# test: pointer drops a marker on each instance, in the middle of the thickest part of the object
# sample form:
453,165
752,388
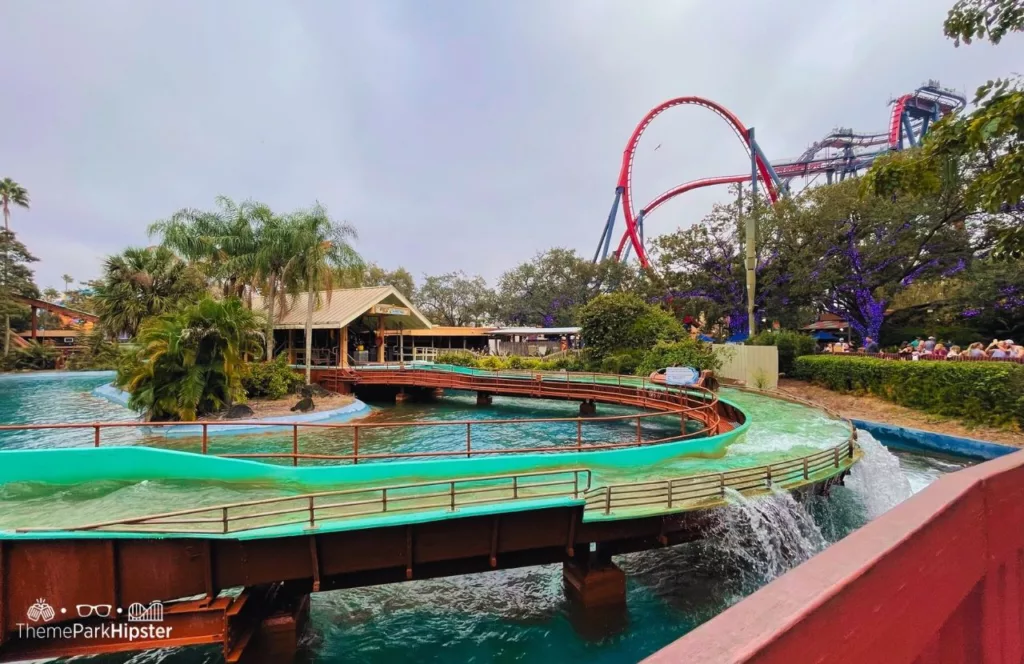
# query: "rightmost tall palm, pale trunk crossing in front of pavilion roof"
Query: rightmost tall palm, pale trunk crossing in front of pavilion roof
322,250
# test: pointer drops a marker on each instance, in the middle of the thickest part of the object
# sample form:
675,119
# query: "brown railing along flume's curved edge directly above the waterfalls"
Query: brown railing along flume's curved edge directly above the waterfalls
695,491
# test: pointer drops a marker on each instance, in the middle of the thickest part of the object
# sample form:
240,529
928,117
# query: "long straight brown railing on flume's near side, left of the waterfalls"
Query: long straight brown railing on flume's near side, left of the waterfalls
316,509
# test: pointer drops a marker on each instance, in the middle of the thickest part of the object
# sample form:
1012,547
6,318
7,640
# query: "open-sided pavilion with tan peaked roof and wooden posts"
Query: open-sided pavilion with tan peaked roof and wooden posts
349,325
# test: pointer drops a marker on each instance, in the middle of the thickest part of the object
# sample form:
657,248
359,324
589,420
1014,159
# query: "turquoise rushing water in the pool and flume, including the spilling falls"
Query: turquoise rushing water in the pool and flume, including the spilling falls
522,615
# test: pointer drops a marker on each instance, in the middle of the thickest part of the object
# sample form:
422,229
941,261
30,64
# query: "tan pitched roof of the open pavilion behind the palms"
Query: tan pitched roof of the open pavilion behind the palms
340,307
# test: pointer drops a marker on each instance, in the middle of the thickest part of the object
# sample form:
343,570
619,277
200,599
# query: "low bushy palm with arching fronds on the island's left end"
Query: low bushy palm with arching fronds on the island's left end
191,361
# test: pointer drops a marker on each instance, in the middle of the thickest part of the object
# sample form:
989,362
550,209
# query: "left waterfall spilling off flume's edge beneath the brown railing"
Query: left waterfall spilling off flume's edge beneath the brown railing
764,536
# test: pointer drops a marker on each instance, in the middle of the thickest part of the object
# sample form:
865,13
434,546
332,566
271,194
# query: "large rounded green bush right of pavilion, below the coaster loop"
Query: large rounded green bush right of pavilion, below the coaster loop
618,322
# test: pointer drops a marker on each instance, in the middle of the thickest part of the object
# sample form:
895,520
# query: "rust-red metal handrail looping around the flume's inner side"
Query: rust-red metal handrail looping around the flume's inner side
697,404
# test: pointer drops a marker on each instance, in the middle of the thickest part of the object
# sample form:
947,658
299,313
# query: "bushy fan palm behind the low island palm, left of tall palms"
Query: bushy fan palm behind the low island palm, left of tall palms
141,283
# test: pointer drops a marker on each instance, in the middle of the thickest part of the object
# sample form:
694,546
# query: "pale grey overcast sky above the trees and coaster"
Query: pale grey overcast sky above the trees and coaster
464,135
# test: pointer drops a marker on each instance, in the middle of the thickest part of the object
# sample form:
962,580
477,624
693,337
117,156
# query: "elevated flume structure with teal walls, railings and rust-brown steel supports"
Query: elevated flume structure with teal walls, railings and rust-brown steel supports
370,524
